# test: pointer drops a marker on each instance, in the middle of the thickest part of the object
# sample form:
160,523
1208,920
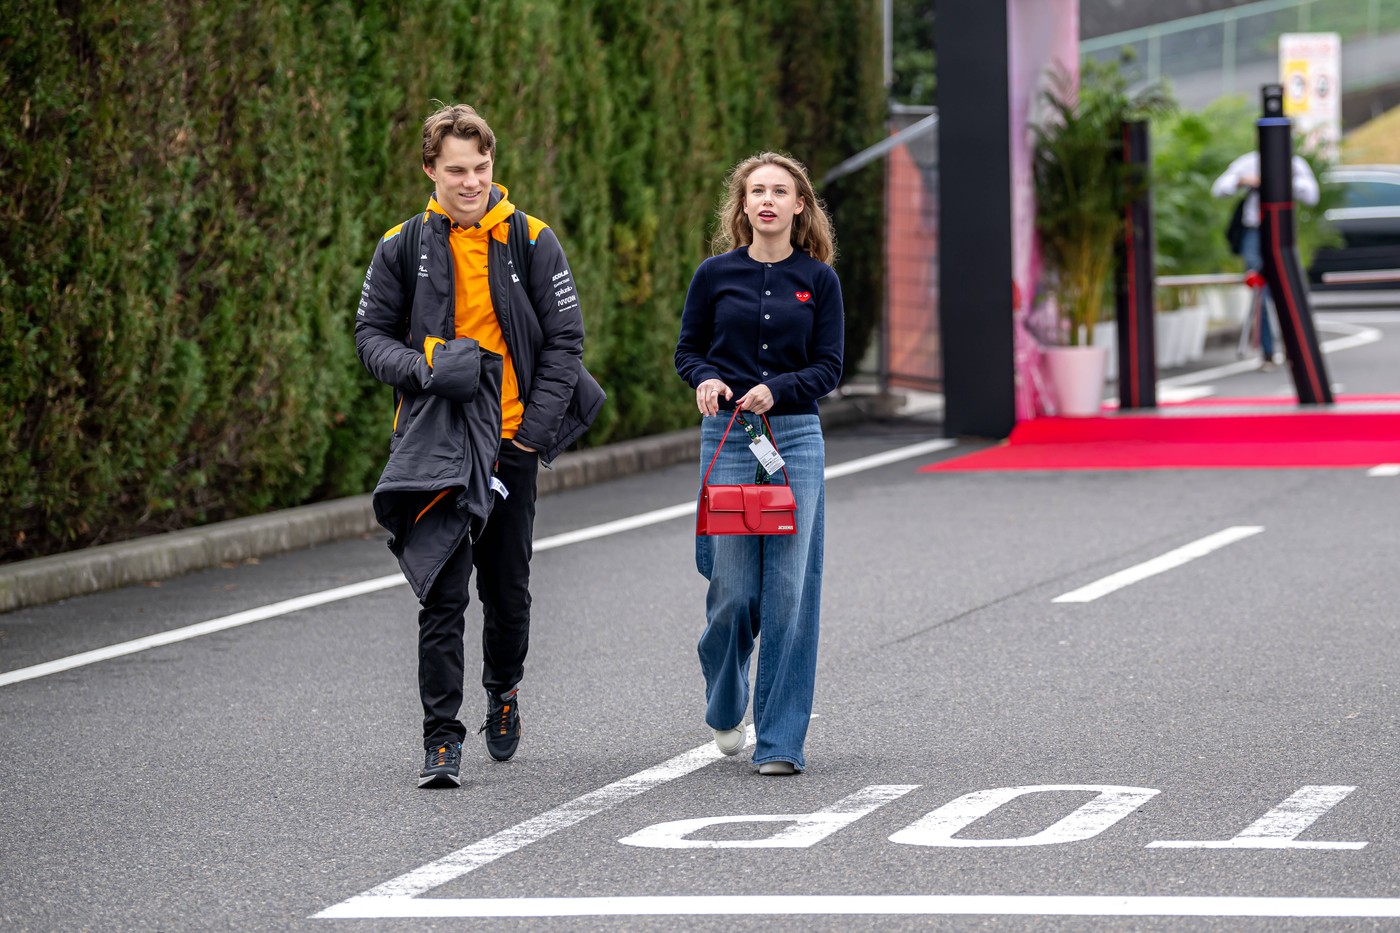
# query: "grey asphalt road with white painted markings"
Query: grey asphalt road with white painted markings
1212,746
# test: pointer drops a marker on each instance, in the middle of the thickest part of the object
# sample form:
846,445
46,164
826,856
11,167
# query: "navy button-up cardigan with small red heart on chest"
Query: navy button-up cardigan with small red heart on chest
780,324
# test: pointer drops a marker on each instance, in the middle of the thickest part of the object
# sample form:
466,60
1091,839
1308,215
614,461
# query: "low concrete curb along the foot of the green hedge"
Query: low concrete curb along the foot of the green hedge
170,555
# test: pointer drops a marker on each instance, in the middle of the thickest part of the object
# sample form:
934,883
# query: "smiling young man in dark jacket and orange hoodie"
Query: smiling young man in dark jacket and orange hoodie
470,313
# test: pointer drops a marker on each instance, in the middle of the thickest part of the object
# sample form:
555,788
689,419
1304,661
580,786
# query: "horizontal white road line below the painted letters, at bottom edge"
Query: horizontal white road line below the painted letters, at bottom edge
901,904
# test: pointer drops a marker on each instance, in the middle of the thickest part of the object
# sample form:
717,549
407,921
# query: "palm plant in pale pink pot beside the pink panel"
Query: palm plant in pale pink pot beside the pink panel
1083,187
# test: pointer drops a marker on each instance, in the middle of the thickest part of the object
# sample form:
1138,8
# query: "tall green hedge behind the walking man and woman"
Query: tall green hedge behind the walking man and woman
191,194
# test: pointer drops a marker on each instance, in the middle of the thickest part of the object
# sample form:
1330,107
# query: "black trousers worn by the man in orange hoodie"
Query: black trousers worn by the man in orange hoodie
502,560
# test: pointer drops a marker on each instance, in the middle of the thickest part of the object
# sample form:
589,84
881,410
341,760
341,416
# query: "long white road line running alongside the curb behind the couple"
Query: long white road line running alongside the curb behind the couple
397,579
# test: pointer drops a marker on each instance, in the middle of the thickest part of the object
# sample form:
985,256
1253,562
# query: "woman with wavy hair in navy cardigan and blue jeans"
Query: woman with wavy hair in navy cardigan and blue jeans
762,331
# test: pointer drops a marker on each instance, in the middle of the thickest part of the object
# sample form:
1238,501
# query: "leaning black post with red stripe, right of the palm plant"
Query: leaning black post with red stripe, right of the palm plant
1277,240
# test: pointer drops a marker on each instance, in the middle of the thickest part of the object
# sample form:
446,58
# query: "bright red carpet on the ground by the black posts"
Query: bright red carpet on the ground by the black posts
1189,436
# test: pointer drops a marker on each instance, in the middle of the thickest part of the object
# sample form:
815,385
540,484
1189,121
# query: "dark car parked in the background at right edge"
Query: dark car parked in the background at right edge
1368,219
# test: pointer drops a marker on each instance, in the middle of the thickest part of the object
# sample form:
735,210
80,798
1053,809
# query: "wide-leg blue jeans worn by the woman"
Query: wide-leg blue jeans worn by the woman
765,589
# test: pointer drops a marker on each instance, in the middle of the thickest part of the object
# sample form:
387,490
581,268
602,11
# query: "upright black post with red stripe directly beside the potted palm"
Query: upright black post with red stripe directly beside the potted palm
1135,278
